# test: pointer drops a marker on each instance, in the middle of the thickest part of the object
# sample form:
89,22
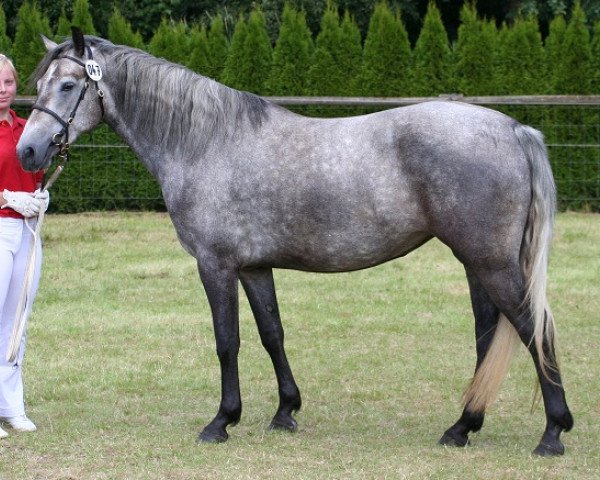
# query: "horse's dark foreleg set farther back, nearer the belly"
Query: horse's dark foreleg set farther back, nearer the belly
260,289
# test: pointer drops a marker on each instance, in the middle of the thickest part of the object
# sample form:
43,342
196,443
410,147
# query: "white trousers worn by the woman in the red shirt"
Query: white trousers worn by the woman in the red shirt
15,239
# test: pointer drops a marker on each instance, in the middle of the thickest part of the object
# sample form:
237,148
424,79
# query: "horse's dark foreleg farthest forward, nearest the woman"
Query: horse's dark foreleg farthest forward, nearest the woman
220,284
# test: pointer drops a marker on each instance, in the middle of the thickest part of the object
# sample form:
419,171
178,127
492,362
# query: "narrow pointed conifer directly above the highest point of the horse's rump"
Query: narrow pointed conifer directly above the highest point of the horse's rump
432,62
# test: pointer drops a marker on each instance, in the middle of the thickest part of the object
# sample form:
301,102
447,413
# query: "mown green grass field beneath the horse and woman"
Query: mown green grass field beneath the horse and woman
121,370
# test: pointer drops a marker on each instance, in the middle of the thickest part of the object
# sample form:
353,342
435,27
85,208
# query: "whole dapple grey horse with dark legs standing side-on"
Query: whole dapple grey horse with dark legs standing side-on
251,186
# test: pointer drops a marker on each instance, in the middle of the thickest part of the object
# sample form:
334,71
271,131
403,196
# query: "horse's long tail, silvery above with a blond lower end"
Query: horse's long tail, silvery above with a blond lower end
535,248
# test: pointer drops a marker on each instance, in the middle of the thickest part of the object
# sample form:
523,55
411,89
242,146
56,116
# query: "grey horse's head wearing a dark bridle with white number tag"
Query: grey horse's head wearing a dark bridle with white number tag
64,108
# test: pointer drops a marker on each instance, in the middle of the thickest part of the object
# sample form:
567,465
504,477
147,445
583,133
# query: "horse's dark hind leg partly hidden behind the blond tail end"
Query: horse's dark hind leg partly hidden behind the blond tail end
486,319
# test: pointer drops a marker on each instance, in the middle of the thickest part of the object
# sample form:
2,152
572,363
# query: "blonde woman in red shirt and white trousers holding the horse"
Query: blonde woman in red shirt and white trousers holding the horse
20,203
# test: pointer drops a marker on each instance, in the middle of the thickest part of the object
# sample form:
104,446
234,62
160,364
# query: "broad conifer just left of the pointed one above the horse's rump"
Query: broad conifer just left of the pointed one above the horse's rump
385,69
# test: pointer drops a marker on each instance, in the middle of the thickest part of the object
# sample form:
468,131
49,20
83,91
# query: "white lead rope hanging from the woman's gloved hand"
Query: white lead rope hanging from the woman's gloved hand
26,296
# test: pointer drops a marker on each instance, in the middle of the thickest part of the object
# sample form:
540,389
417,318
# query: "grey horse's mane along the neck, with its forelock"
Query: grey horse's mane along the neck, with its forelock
167,101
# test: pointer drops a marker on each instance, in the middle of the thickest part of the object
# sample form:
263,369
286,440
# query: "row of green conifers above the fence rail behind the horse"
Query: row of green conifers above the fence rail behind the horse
485,60
